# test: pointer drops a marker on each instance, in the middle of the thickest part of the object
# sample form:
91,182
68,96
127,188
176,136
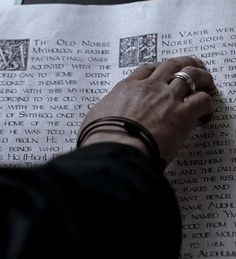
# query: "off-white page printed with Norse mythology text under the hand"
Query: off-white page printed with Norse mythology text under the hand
57,61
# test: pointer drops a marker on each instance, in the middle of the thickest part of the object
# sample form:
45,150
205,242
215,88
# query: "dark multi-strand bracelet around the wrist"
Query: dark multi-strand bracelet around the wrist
133,128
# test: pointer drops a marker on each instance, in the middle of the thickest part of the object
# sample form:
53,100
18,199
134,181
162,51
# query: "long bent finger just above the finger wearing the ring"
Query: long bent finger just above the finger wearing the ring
166,69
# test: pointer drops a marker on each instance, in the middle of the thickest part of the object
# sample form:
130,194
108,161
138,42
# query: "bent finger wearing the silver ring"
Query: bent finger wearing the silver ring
201,78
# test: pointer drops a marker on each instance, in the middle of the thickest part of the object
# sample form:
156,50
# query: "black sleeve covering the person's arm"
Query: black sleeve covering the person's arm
102,201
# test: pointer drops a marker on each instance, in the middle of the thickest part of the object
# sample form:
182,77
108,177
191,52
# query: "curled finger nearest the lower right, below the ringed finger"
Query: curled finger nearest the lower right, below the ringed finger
200,107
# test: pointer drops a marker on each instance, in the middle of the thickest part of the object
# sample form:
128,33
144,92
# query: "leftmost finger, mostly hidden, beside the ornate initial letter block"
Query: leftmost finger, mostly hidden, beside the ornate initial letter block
143,71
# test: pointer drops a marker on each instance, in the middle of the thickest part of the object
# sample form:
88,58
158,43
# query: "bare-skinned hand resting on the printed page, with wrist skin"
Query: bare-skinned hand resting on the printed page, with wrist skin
148,97
